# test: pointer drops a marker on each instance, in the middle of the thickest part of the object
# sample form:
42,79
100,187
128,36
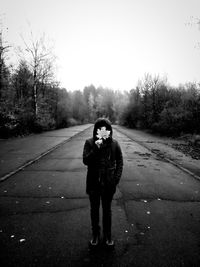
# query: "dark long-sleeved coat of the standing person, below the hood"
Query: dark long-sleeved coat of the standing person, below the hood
104,166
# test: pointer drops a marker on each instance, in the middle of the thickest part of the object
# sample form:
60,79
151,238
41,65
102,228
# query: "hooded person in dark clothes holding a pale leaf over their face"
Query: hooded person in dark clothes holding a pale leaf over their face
103,156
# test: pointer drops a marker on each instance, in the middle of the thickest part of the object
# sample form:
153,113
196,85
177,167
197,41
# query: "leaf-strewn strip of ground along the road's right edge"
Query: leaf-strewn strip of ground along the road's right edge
178,151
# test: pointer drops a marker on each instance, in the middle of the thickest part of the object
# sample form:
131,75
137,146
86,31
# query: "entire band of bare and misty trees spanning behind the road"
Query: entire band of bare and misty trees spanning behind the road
31,100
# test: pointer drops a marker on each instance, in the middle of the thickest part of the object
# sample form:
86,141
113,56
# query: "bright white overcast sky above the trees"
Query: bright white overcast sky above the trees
112,43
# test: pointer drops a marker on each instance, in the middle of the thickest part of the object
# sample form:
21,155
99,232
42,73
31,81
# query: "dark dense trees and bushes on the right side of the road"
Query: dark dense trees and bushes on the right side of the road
164,109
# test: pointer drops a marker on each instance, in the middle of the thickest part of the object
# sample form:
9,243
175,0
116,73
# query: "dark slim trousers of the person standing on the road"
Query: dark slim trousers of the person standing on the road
106,199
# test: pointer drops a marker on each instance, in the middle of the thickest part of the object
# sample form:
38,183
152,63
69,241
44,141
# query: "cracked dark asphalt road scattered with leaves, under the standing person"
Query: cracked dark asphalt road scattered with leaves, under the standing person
44,211
